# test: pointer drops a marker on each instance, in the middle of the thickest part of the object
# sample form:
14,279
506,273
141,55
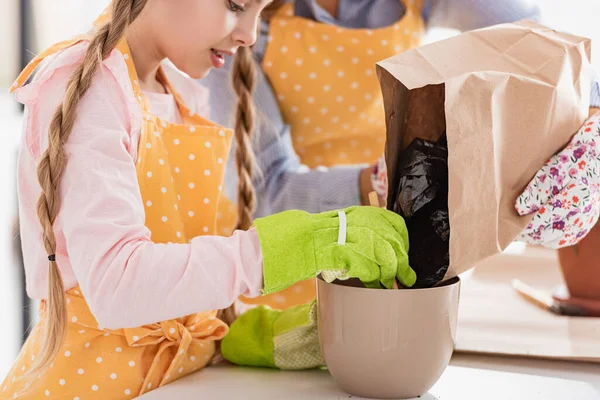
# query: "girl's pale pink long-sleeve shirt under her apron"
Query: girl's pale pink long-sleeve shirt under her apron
102,243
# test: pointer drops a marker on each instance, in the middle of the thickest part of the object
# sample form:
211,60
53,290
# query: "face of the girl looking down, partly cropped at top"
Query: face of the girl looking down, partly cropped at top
188,32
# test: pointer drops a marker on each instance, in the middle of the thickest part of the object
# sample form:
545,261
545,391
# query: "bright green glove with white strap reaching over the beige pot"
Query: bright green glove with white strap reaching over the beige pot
367,243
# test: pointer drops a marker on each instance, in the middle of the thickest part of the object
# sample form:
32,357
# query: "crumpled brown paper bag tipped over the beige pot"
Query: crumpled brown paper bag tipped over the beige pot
508,97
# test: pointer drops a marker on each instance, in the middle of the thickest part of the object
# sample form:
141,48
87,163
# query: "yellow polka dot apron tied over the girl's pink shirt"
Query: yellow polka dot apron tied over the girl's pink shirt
180,168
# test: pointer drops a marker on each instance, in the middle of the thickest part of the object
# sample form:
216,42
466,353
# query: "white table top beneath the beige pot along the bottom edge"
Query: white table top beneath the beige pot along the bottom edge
469,377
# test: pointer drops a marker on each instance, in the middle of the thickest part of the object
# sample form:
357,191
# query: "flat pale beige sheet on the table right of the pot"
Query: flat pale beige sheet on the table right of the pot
494,319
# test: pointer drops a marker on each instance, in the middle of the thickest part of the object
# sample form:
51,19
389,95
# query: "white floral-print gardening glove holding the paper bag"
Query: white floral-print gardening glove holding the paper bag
565,194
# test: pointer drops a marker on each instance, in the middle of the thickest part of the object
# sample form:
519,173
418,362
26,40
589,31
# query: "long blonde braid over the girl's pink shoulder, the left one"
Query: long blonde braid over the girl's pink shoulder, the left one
52,165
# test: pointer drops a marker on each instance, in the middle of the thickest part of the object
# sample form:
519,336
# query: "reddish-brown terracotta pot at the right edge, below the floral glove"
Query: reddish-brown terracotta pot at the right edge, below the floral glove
580,266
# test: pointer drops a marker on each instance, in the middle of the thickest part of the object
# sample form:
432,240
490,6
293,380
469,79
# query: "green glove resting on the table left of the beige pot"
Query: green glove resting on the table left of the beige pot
263,337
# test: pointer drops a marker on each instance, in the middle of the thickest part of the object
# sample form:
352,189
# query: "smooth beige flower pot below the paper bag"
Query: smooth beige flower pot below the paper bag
387,343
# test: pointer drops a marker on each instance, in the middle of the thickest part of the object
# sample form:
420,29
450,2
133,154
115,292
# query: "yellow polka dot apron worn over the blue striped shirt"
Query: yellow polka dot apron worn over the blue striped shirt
324,79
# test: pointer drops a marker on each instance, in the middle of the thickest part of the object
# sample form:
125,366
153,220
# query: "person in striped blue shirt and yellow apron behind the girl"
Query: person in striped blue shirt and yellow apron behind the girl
318,90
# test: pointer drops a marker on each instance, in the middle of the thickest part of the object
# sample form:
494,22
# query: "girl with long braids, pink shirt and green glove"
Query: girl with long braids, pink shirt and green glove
118,186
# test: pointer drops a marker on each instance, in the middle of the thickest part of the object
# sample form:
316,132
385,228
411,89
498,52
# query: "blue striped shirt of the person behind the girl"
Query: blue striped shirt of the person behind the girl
282,182
